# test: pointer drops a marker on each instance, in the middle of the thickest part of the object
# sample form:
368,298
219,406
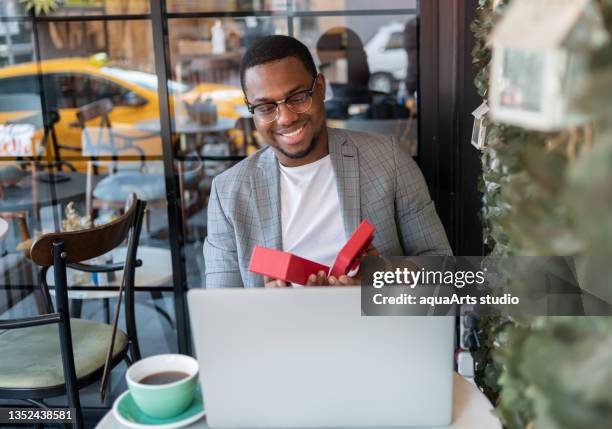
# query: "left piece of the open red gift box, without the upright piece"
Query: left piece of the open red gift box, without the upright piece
282,265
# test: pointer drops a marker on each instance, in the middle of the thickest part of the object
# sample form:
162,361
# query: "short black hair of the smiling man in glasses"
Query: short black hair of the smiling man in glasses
274,48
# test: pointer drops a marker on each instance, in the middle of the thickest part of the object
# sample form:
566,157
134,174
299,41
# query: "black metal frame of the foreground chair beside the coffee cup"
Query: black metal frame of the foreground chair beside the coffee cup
61,316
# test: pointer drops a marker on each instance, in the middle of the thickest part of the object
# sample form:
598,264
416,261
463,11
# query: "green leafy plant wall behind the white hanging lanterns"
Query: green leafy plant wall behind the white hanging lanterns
548,194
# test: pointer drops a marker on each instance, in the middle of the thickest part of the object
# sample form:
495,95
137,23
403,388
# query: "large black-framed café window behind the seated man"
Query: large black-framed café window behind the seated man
101,63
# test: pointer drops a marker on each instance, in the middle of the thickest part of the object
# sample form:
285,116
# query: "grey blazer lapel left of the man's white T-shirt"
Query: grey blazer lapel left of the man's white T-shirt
266,190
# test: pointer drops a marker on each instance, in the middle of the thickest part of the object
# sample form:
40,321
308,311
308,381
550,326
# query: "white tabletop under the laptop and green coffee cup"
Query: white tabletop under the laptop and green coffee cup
471,409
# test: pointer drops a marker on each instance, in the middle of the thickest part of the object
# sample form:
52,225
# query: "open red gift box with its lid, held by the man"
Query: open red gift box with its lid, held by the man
294,269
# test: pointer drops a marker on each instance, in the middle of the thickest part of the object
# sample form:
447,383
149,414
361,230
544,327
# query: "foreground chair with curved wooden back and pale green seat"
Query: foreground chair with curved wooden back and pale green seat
35,361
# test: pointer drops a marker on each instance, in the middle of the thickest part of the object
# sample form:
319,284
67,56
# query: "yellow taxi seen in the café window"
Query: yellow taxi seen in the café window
72,83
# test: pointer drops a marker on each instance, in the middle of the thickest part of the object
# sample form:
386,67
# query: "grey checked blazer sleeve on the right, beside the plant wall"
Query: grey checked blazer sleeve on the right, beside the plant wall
421,231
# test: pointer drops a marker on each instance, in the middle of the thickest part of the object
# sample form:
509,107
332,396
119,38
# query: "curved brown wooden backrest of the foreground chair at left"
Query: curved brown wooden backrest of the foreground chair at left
85,244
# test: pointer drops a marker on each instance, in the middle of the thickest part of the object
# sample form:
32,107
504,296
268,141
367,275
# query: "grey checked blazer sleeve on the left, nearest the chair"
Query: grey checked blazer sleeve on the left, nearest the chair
220,254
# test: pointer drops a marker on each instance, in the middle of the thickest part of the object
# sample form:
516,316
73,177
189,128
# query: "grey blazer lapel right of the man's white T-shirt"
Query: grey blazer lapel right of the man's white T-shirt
345,161
